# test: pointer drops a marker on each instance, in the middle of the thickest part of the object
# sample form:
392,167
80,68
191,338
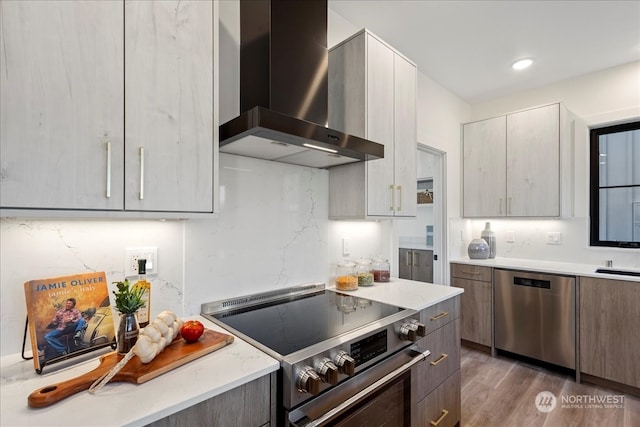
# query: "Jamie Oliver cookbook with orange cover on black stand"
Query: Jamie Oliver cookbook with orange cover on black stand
68,316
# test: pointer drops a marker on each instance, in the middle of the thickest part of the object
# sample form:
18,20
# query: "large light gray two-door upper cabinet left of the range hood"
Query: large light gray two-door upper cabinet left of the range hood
108,108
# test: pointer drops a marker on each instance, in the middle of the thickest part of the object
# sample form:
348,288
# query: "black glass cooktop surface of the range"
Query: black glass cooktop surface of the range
288,326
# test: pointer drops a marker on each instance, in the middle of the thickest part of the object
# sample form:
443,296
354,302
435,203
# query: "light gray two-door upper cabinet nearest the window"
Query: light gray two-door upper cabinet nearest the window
512,164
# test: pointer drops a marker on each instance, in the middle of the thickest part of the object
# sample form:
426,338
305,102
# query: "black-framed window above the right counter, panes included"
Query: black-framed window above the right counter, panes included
615,186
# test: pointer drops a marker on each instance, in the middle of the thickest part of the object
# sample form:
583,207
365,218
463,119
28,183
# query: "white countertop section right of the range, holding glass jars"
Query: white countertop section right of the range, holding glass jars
405,293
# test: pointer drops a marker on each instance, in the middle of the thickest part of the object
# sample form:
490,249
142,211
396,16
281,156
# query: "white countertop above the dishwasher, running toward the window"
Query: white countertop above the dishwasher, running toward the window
548,267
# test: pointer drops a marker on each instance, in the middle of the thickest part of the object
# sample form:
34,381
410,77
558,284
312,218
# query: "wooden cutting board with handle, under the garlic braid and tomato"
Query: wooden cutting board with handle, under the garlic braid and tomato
177,354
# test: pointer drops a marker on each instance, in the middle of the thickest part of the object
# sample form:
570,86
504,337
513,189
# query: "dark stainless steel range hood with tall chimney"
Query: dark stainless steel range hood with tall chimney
283,89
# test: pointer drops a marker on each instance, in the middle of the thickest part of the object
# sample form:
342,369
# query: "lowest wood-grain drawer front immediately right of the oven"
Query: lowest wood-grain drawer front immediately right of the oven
442,406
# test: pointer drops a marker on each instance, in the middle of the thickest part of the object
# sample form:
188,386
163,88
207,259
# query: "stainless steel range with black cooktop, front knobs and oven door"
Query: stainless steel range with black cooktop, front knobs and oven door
344,360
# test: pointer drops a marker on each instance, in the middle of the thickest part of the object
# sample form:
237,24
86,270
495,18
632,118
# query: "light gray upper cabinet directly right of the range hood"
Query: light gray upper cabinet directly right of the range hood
372,94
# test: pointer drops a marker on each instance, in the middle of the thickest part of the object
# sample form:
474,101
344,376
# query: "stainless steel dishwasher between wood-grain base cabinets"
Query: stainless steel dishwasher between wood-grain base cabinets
535,316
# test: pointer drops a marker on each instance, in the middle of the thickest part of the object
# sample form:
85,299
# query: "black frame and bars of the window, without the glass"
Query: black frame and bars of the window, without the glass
594,184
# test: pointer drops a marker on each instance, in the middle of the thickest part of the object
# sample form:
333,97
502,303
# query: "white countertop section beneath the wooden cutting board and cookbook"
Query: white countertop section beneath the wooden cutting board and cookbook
124,404
